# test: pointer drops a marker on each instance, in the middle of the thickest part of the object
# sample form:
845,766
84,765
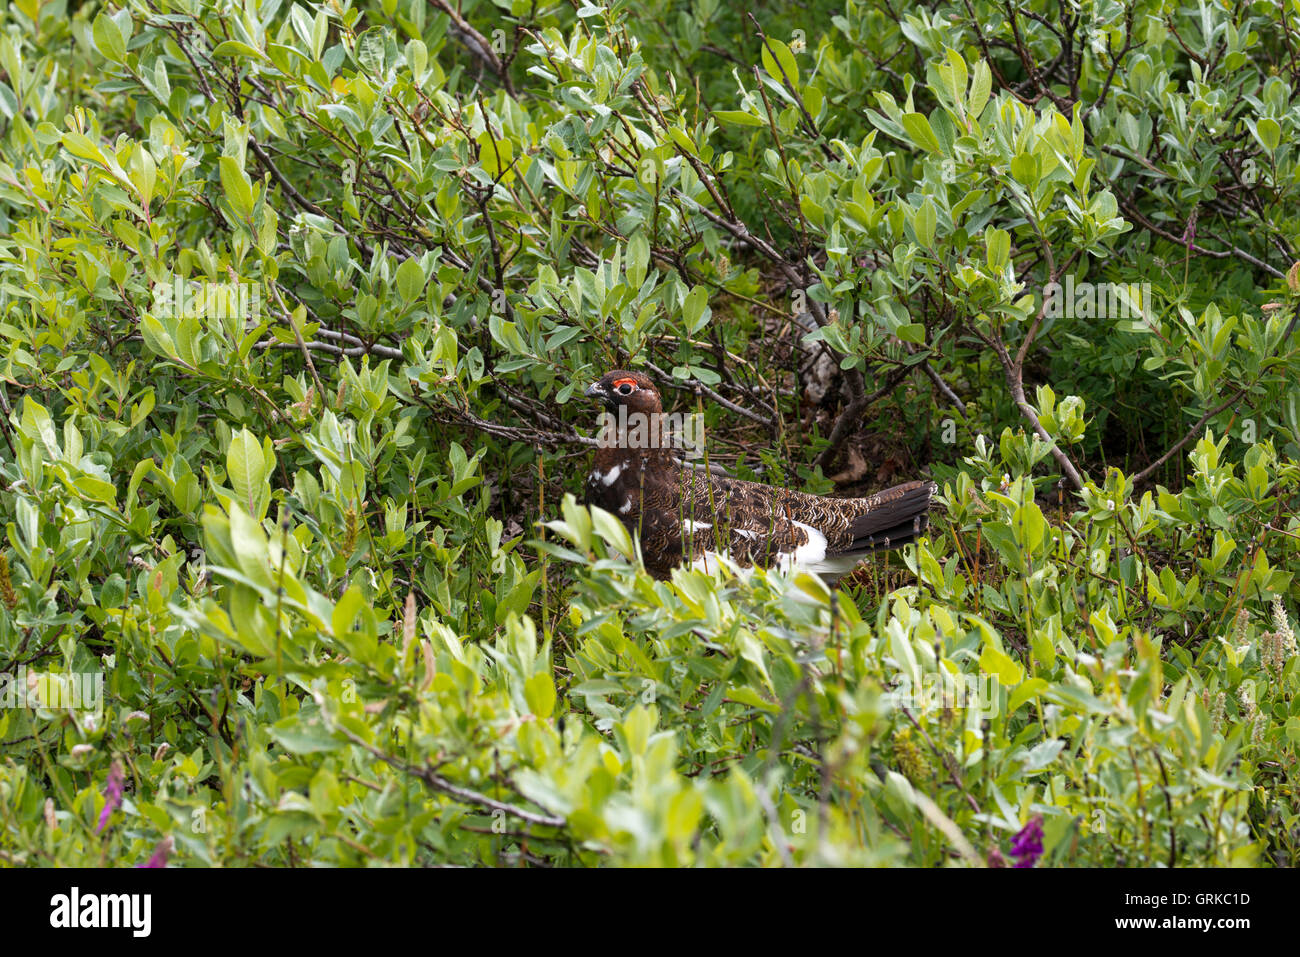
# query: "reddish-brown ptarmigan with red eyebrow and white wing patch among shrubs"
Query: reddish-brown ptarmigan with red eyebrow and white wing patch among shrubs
687,514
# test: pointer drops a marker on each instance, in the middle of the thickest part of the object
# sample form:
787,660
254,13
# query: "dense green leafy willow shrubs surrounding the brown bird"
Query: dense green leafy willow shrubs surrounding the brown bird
297,308
